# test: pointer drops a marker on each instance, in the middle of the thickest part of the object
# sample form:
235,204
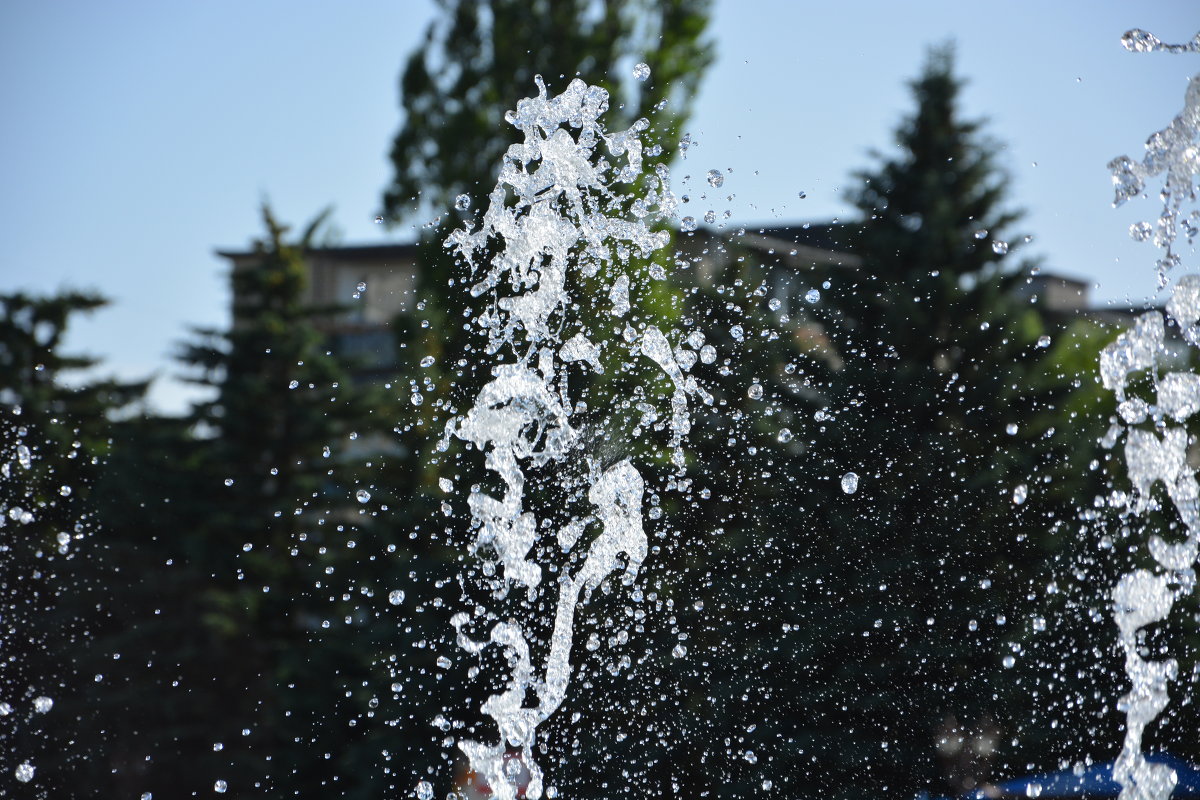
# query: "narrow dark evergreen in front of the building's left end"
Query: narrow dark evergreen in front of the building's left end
283,471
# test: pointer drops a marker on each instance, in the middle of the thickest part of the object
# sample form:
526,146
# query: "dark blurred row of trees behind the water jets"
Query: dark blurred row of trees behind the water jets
885,576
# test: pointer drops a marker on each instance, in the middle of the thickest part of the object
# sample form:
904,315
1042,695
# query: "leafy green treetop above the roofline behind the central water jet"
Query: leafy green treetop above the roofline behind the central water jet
479,58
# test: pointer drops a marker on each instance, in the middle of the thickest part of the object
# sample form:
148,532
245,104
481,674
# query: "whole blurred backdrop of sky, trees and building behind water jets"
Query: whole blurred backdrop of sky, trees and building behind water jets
231,341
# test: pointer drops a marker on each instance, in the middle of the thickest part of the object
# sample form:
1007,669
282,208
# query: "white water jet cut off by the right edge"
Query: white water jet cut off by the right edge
1156,438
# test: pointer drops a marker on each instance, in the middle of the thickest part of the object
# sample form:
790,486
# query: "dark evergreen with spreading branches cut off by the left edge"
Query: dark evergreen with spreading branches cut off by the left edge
55,437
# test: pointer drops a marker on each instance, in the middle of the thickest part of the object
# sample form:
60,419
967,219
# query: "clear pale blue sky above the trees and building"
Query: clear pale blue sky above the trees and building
141,136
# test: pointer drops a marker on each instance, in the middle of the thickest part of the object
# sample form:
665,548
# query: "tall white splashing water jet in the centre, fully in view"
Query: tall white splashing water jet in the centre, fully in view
573,203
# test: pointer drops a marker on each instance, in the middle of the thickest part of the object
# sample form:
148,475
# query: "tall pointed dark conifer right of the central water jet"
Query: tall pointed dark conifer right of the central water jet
952,407
